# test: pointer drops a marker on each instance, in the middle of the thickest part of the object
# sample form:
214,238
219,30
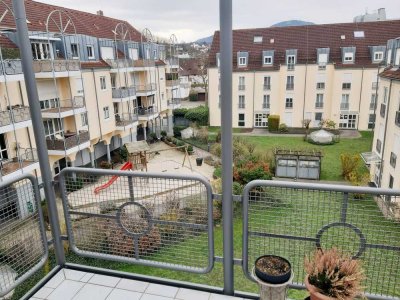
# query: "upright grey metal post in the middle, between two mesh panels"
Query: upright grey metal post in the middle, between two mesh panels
225,12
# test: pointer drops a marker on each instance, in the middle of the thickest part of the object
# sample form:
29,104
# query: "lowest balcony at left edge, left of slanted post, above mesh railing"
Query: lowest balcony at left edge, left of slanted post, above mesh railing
26,162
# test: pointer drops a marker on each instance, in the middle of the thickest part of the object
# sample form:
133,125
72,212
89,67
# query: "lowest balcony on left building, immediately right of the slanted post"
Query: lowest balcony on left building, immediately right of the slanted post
69,143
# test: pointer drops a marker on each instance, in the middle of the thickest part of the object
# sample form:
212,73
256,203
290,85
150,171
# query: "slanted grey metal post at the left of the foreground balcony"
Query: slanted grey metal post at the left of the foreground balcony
38,129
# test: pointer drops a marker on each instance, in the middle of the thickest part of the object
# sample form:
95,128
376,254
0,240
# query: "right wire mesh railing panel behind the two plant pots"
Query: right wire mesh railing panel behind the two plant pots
292,219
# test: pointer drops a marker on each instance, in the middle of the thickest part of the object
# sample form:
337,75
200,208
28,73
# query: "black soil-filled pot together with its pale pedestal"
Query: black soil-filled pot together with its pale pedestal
273,274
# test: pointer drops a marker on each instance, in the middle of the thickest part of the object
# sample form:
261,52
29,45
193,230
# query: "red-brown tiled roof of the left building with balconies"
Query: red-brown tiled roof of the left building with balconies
85,23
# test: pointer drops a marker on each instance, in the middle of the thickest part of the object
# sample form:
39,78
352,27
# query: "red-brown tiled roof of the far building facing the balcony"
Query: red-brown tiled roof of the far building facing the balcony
306,39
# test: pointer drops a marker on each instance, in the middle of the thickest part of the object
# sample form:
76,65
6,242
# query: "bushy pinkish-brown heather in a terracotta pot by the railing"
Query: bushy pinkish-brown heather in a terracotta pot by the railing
333,275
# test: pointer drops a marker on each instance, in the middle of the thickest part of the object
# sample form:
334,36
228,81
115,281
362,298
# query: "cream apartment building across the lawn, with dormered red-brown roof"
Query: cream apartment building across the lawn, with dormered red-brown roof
304,72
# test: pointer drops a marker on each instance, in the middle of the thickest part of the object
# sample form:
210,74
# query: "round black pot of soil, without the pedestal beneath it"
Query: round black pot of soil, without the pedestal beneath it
273,269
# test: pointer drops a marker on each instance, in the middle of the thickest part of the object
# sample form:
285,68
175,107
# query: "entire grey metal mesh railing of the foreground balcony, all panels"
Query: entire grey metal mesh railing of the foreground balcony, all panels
134,226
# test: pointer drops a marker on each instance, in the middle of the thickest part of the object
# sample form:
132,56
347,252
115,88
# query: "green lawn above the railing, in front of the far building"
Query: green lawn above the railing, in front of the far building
331,167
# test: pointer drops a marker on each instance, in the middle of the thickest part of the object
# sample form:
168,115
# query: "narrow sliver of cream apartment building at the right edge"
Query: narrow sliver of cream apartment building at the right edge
384,169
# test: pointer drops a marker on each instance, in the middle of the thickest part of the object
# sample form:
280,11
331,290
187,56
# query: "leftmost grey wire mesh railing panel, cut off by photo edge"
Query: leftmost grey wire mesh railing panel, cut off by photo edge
23,245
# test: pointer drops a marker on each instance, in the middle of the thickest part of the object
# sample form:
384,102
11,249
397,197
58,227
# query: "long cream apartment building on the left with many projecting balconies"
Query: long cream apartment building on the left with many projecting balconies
101,83
